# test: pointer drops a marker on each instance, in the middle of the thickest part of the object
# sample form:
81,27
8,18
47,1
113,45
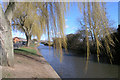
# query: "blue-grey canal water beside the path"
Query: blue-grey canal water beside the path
73,65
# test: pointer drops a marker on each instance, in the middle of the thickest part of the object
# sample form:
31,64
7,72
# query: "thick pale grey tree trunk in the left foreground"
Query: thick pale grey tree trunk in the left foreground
6,43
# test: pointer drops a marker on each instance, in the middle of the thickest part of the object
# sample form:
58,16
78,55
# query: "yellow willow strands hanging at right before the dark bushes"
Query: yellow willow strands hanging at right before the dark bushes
96,22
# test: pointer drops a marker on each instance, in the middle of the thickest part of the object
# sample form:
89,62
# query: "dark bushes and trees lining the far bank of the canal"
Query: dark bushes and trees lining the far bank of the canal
77,42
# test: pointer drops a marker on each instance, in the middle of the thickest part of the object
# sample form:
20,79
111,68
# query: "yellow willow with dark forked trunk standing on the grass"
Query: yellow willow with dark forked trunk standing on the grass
26,20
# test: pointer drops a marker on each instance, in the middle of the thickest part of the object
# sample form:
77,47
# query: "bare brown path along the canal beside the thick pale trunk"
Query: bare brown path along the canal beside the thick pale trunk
29,67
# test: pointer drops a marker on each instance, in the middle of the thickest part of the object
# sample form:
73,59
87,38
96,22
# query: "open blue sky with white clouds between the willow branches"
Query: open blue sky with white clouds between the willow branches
71,19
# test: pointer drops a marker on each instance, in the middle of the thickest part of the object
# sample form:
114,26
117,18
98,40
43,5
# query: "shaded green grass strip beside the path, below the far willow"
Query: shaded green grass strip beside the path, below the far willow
26,51
